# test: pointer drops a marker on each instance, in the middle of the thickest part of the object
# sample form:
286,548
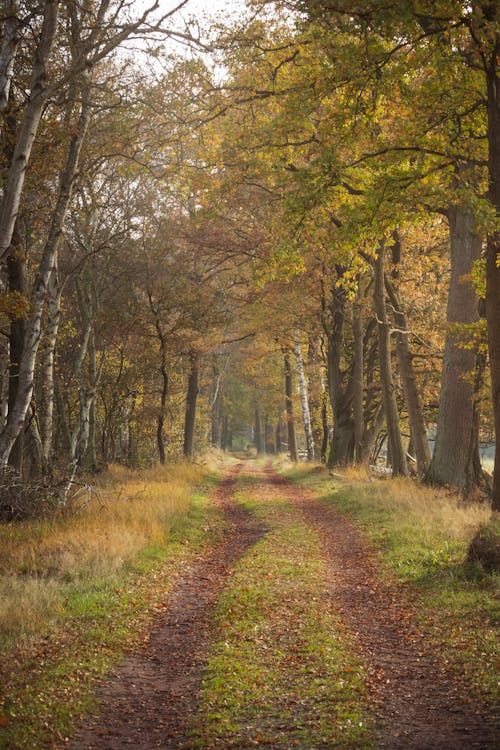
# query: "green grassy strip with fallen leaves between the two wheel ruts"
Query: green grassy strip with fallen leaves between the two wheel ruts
282,672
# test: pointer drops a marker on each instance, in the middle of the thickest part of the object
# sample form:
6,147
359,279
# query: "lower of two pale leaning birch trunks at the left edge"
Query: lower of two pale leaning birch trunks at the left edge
17,415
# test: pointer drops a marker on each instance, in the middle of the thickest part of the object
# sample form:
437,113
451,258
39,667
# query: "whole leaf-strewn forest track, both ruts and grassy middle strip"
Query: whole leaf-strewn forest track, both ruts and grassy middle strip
287,633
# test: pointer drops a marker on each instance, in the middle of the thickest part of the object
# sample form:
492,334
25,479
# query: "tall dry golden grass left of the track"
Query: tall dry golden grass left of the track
41,560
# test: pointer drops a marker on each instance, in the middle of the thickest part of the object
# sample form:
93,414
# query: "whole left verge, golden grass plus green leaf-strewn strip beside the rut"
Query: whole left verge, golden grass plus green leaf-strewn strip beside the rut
89,587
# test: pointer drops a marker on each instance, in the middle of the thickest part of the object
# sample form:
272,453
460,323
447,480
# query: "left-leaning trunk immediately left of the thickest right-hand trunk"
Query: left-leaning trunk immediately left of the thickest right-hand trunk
418,427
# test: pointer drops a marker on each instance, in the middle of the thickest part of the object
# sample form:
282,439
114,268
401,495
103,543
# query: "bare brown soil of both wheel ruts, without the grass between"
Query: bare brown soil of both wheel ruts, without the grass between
420,703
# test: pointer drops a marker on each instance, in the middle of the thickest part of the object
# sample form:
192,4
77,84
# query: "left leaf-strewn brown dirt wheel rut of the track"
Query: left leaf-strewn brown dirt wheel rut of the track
152,695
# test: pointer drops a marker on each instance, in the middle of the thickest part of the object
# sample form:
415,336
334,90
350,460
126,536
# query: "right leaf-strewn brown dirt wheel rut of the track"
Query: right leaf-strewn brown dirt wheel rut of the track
420,703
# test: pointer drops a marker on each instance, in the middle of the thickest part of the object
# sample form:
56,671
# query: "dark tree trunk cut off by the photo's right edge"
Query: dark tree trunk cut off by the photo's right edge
493,255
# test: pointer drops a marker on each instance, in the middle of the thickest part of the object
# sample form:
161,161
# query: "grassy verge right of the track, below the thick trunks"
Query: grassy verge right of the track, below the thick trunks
423,535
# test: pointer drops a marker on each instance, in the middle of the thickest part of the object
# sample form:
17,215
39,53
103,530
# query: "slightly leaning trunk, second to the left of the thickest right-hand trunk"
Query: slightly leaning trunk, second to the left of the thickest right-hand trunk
398,456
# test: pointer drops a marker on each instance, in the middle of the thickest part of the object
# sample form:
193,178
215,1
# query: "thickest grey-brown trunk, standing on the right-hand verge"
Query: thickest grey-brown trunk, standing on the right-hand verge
451,461
